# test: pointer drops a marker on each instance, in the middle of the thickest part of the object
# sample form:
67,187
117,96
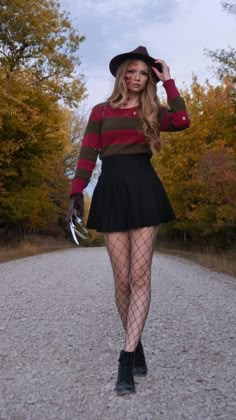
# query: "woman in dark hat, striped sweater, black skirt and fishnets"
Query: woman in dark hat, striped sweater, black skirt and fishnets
129,201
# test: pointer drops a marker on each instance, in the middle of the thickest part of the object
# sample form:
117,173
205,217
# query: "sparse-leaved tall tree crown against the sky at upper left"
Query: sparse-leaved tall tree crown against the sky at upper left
40,37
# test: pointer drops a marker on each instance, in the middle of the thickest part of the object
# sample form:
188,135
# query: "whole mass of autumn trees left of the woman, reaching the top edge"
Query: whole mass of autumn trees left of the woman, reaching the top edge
39,82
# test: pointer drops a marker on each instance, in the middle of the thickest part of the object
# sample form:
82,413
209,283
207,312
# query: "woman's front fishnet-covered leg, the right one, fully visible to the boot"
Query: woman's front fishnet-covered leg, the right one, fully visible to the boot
142,245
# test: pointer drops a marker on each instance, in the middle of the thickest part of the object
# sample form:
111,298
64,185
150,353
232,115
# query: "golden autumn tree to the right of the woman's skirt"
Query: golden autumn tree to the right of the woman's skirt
198,165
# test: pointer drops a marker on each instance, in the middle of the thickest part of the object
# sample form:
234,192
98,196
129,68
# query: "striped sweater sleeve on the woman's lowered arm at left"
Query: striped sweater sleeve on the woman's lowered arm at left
90,148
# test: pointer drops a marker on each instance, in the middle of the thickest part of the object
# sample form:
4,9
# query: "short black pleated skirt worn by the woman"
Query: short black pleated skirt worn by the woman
128,195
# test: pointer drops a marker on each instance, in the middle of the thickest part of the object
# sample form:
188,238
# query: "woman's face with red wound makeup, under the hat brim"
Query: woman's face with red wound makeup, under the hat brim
136,76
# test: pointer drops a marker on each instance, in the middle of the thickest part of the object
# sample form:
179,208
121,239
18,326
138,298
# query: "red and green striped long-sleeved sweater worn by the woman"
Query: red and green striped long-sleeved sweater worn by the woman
115,131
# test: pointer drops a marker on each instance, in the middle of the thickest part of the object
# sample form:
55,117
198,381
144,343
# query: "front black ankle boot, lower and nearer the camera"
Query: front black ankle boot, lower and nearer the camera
125,381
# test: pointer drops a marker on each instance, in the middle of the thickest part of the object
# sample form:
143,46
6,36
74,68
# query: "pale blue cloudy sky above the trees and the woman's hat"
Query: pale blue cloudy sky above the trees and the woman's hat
174,30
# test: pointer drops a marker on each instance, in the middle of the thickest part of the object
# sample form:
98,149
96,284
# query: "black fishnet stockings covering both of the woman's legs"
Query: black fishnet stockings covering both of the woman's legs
131,258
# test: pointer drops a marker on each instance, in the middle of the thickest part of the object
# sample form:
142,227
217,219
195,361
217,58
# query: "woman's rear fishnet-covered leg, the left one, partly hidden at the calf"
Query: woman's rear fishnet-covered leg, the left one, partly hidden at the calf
118,247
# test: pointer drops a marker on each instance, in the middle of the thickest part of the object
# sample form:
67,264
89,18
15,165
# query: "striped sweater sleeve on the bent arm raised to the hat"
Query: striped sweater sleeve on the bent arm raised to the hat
174,118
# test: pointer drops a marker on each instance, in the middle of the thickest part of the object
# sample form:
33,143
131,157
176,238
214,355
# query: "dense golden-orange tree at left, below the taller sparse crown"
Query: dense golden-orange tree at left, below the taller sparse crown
33,139
